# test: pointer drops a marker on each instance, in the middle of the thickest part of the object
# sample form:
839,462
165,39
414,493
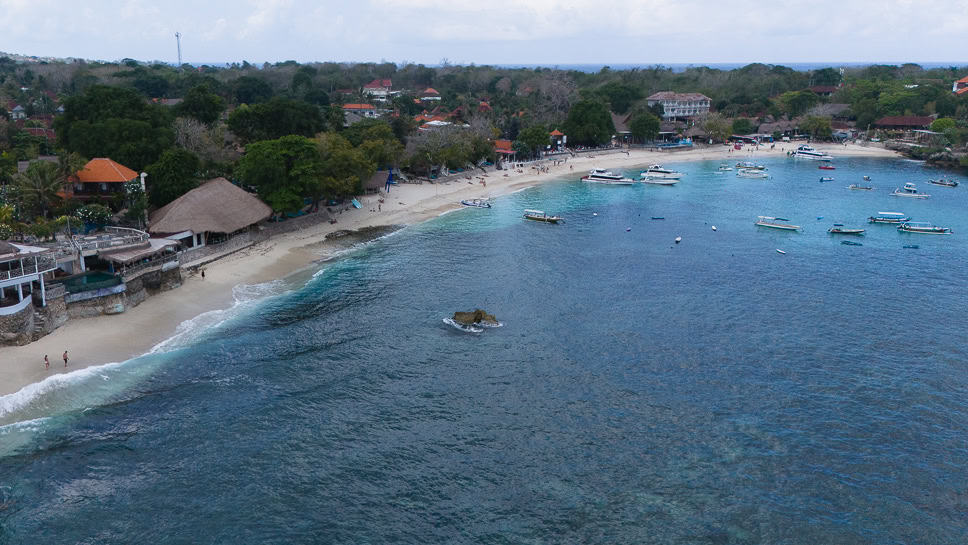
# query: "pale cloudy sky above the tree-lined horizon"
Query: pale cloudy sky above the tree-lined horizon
544,32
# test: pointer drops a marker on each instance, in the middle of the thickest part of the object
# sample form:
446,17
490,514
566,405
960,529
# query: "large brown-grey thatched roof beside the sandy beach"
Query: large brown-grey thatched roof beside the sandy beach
217,206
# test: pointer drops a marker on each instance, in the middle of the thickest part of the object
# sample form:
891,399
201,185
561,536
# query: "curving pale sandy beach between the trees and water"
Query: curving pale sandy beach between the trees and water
117,338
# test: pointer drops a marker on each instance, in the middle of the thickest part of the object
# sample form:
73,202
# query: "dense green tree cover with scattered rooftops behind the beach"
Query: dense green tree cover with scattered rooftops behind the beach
281,130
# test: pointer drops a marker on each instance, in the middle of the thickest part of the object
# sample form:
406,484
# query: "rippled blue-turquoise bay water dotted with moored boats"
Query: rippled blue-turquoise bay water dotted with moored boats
640,391
